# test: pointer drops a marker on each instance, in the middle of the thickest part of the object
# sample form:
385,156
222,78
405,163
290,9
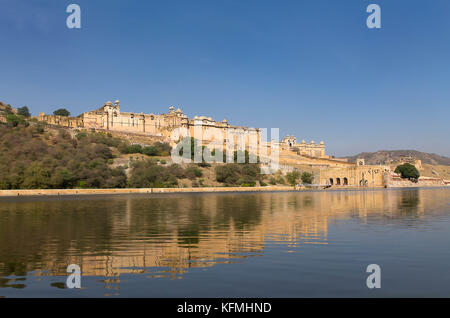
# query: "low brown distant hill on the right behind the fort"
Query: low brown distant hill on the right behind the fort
387,156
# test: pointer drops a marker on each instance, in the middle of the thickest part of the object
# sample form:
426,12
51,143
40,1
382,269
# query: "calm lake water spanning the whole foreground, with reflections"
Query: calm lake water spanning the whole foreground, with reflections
310,244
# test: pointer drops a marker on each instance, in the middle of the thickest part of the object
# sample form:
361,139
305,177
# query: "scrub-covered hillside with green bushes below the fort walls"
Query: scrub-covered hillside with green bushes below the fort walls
38,156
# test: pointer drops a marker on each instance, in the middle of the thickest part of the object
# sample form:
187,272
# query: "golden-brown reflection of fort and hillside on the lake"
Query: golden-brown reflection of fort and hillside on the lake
164,236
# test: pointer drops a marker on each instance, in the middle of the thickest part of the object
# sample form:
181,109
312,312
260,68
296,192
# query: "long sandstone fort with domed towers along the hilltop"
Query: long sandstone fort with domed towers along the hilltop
293,155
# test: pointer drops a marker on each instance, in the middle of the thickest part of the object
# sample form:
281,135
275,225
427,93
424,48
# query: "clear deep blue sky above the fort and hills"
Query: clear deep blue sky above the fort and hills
311,68
